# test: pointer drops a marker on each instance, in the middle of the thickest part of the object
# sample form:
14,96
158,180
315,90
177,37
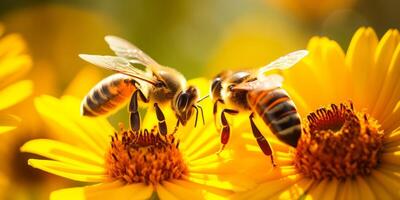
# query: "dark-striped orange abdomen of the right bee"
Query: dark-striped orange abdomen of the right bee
279,112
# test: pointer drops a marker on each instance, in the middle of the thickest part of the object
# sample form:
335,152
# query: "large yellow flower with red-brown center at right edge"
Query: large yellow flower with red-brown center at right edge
350,147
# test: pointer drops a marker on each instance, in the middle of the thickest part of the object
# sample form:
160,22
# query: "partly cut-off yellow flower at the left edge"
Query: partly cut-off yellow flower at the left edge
14,63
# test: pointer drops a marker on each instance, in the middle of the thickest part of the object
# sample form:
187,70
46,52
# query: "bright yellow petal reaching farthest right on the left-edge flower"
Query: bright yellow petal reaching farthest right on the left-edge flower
15,93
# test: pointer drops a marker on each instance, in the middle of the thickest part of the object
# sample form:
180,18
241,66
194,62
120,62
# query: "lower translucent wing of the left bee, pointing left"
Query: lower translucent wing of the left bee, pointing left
120,65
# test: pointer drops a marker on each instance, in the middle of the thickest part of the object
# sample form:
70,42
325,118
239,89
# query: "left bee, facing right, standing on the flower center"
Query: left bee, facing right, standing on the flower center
157,85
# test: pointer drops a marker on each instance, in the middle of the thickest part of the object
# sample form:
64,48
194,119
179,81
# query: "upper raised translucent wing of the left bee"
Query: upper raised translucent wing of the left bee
123,48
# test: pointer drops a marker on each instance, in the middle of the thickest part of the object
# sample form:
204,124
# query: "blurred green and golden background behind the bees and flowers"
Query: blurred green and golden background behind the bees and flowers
199,38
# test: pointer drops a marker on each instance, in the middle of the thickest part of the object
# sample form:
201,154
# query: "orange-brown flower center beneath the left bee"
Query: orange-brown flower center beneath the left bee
144,157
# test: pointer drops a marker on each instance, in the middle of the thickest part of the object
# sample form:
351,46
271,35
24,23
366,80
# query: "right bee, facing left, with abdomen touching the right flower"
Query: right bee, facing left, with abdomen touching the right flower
253,92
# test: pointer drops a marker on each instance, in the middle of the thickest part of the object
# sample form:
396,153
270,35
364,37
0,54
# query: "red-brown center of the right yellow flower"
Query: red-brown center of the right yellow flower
338,142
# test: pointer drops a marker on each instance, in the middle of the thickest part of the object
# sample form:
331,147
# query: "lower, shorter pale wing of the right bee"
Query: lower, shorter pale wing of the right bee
265,83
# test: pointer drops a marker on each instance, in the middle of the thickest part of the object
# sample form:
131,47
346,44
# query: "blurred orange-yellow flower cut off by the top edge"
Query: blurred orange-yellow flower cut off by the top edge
312,10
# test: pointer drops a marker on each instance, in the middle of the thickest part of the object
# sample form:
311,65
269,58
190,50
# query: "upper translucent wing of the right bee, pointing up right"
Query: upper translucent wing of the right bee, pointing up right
283,62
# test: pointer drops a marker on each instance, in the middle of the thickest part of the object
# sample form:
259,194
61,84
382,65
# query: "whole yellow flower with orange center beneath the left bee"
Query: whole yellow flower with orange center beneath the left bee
123,166
